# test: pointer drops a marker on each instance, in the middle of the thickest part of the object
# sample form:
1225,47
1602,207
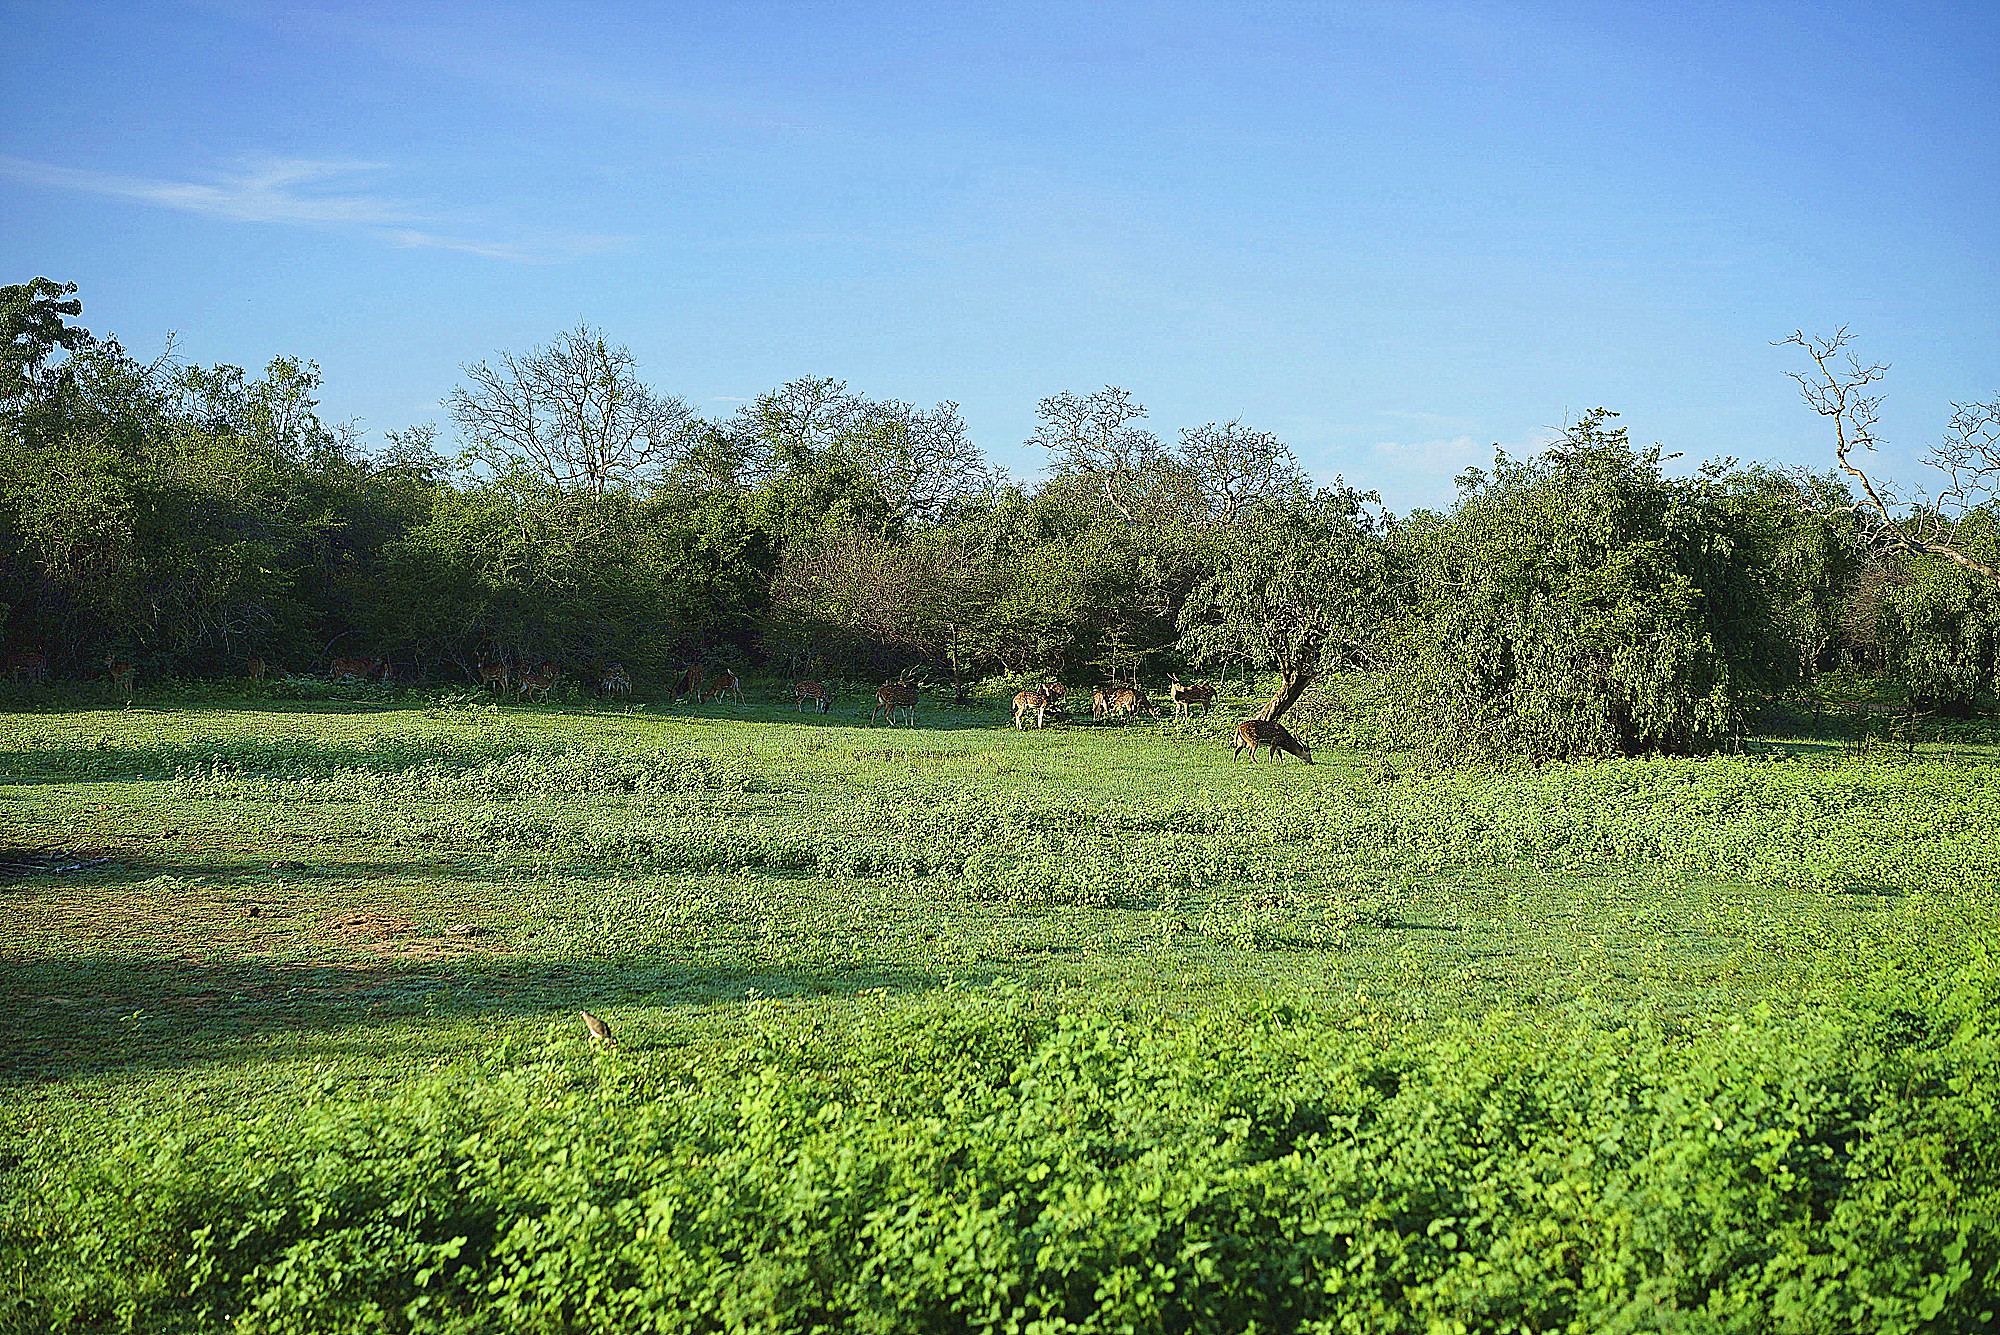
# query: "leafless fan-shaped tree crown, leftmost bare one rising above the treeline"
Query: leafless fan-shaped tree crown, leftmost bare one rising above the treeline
571,415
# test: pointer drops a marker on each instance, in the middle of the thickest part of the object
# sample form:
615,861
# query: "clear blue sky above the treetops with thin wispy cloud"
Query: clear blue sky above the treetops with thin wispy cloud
1389,233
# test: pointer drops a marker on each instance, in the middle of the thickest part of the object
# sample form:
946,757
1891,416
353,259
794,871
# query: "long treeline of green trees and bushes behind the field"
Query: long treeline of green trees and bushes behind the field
187,519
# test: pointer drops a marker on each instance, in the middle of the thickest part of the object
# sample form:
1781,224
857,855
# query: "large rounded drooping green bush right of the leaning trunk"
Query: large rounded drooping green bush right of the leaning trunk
1579,605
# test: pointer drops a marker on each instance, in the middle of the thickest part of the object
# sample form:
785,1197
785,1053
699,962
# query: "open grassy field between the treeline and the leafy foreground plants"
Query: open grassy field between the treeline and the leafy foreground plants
227,920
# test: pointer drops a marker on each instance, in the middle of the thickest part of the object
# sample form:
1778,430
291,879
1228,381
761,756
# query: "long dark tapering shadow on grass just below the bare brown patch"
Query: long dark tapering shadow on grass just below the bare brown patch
77,1016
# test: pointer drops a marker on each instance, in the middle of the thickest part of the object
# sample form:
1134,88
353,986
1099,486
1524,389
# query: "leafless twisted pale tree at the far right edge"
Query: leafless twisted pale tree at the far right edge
1921,525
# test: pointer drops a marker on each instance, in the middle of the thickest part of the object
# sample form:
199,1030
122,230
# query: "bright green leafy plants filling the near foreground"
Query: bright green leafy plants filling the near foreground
1001,1162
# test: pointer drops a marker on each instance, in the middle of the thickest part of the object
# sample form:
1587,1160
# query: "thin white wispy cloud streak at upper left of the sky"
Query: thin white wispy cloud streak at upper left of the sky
301,193
